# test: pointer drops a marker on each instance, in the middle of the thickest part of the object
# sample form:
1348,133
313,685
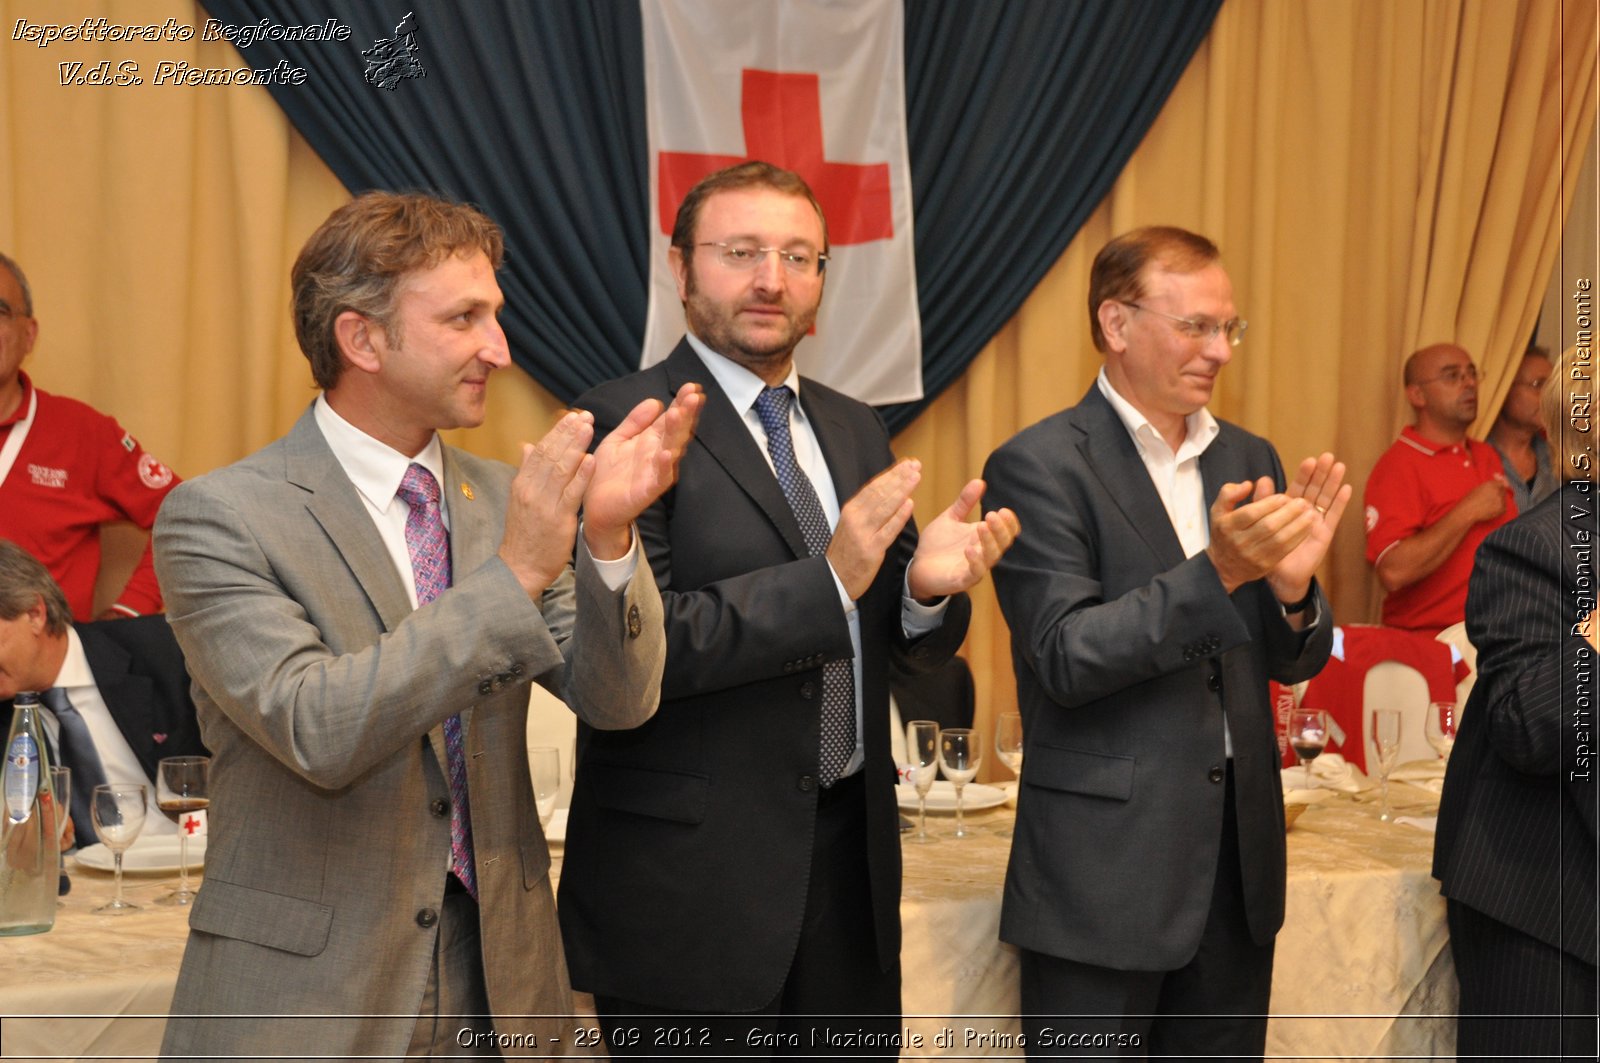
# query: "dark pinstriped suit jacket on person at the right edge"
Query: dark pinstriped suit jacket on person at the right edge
1518,819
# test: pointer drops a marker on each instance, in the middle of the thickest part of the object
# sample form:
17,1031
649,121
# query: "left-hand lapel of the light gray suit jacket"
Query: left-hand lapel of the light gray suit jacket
335,503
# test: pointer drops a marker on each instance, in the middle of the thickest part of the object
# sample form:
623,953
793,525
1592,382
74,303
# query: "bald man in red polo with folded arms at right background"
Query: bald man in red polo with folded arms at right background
1434,495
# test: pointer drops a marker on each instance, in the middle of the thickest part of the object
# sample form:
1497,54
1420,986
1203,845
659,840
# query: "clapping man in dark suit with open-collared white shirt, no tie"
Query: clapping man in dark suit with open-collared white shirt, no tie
1146,878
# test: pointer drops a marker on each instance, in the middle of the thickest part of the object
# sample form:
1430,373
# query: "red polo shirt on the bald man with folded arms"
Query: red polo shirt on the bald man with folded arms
1414,486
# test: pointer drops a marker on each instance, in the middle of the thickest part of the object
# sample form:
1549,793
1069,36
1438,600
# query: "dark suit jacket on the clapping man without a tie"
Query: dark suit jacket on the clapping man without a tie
1127,656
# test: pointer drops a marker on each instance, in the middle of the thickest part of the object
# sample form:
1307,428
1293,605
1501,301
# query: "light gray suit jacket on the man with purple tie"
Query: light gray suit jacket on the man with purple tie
321,694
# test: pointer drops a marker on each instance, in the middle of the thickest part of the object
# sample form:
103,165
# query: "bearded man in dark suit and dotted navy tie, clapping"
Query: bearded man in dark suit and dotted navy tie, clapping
740,852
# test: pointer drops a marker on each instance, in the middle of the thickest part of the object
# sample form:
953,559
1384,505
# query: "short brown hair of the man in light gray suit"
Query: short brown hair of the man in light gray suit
359,255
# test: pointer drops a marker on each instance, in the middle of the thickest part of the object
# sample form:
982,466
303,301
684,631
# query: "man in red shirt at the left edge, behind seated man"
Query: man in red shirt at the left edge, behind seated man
66,470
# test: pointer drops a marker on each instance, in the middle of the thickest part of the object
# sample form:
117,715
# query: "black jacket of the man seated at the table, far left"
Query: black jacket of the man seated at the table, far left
142,676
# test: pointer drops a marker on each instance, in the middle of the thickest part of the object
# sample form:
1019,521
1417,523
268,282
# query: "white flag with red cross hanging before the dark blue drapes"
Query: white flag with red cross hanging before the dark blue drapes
817,87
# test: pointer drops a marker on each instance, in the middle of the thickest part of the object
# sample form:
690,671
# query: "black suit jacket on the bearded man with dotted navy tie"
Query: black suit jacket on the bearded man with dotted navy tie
689,846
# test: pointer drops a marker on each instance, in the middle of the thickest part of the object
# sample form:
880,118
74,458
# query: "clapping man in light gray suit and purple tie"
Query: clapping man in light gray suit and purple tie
362,609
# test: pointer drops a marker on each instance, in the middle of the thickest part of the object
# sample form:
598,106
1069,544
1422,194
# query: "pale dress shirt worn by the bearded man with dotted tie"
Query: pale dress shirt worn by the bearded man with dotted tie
743,388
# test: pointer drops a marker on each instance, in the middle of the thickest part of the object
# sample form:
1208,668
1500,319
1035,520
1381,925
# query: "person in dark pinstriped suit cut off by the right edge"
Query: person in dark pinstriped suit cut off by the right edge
1516,843
